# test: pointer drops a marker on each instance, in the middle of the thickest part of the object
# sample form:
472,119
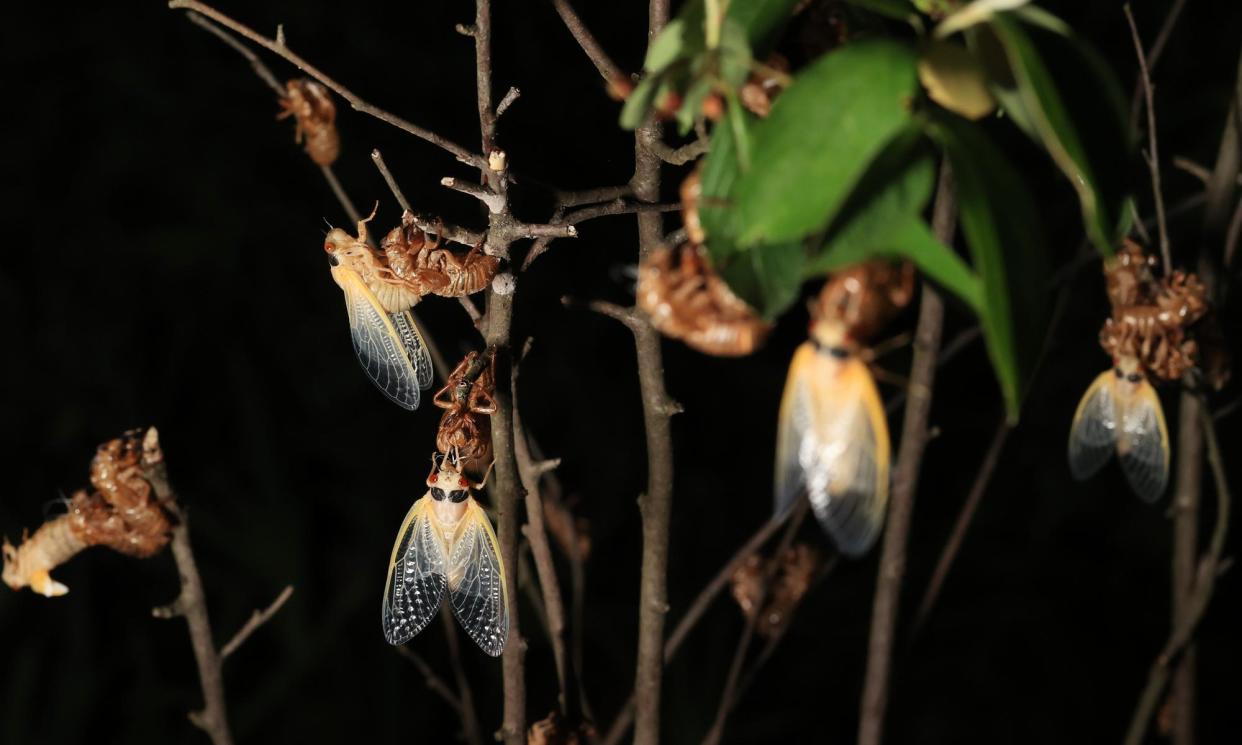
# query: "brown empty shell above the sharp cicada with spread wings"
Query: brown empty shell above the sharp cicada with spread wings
469,404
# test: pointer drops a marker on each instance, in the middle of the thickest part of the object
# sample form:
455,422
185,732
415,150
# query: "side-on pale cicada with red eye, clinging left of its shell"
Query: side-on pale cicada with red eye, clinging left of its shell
387,340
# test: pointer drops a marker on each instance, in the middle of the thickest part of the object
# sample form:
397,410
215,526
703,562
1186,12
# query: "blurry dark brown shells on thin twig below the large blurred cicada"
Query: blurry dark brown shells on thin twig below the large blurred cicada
798,568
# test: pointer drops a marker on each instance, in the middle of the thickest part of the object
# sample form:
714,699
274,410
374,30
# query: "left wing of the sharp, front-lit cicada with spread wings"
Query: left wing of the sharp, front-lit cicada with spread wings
417,578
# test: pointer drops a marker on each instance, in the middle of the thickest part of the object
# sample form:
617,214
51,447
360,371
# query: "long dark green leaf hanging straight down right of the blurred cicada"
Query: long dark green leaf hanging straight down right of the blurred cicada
1003,230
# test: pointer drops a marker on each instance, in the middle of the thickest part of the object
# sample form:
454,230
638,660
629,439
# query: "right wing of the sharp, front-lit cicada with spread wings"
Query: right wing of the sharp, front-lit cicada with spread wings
478,583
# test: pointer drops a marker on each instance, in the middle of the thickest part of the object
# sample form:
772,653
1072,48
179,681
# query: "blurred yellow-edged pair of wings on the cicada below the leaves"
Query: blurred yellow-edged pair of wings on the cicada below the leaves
834,443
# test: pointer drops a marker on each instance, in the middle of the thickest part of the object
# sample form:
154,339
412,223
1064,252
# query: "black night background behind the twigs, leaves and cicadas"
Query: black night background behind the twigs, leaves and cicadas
165,268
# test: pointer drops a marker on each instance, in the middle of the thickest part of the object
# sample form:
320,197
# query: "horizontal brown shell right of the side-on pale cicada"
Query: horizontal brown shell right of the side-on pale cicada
432,269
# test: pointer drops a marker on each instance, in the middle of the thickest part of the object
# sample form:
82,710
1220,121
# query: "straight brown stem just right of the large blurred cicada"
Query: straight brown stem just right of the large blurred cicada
906,475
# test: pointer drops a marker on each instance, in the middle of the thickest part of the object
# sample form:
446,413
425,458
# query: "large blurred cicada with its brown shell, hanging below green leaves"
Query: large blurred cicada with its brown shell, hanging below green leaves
833,439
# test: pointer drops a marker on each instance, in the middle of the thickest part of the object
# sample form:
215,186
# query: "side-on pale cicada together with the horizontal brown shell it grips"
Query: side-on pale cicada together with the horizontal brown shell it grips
382,286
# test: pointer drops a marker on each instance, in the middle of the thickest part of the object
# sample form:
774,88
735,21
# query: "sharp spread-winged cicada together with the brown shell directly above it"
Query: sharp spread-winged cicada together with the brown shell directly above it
446,543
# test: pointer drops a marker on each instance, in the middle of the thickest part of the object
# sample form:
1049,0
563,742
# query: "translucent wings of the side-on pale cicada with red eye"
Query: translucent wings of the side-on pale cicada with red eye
381,347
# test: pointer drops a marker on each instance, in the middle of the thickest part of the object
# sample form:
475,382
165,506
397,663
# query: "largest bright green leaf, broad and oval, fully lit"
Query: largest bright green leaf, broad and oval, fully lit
822,135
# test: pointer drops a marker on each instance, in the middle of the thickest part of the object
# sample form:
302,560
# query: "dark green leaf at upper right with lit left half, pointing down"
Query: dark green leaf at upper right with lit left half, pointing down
1065,96
